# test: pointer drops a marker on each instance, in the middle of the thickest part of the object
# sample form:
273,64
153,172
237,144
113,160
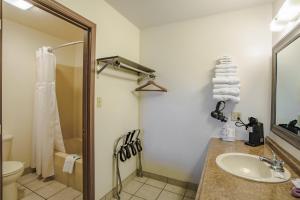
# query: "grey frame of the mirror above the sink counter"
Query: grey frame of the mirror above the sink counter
281,132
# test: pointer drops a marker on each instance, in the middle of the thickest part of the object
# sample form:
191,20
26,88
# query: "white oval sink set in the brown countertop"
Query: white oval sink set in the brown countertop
250,167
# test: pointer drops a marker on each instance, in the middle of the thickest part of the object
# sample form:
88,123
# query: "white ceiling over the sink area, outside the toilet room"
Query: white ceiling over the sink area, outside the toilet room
147,13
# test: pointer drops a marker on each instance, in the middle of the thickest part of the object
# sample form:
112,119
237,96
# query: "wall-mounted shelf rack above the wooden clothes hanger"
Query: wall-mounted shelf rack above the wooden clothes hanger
119,62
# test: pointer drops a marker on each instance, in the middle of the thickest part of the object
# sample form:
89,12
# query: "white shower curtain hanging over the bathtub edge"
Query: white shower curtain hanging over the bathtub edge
47,134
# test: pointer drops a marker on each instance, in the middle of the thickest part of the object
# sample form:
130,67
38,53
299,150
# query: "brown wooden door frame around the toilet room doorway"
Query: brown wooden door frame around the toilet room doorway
89,63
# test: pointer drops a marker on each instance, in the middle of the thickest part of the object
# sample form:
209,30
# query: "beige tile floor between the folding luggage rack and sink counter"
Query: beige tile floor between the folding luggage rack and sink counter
150,189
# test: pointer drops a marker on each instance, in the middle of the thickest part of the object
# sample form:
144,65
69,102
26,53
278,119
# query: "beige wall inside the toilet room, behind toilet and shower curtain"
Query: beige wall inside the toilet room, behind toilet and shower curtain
19,46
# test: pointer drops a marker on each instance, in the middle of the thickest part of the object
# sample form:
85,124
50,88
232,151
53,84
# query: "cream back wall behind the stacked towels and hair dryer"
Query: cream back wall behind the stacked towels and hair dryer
177,124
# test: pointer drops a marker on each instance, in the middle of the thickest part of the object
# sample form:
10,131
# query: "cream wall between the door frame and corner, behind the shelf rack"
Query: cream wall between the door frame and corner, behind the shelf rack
120,111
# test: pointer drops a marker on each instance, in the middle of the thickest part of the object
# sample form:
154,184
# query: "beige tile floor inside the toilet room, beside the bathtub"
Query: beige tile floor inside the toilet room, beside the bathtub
31,188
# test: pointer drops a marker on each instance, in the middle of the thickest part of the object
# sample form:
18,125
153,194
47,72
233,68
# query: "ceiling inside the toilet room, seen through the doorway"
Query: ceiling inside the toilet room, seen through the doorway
43,21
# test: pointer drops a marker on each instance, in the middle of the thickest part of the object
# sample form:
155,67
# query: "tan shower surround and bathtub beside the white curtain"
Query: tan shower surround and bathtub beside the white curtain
69,99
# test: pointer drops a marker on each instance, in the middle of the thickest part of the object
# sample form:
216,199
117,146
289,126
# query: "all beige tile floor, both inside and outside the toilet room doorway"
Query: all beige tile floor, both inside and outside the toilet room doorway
137,189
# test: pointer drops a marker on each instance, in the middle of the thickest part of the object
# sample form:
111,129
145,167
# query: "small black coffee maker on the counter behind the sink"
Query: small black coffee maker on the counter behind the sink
255,130
